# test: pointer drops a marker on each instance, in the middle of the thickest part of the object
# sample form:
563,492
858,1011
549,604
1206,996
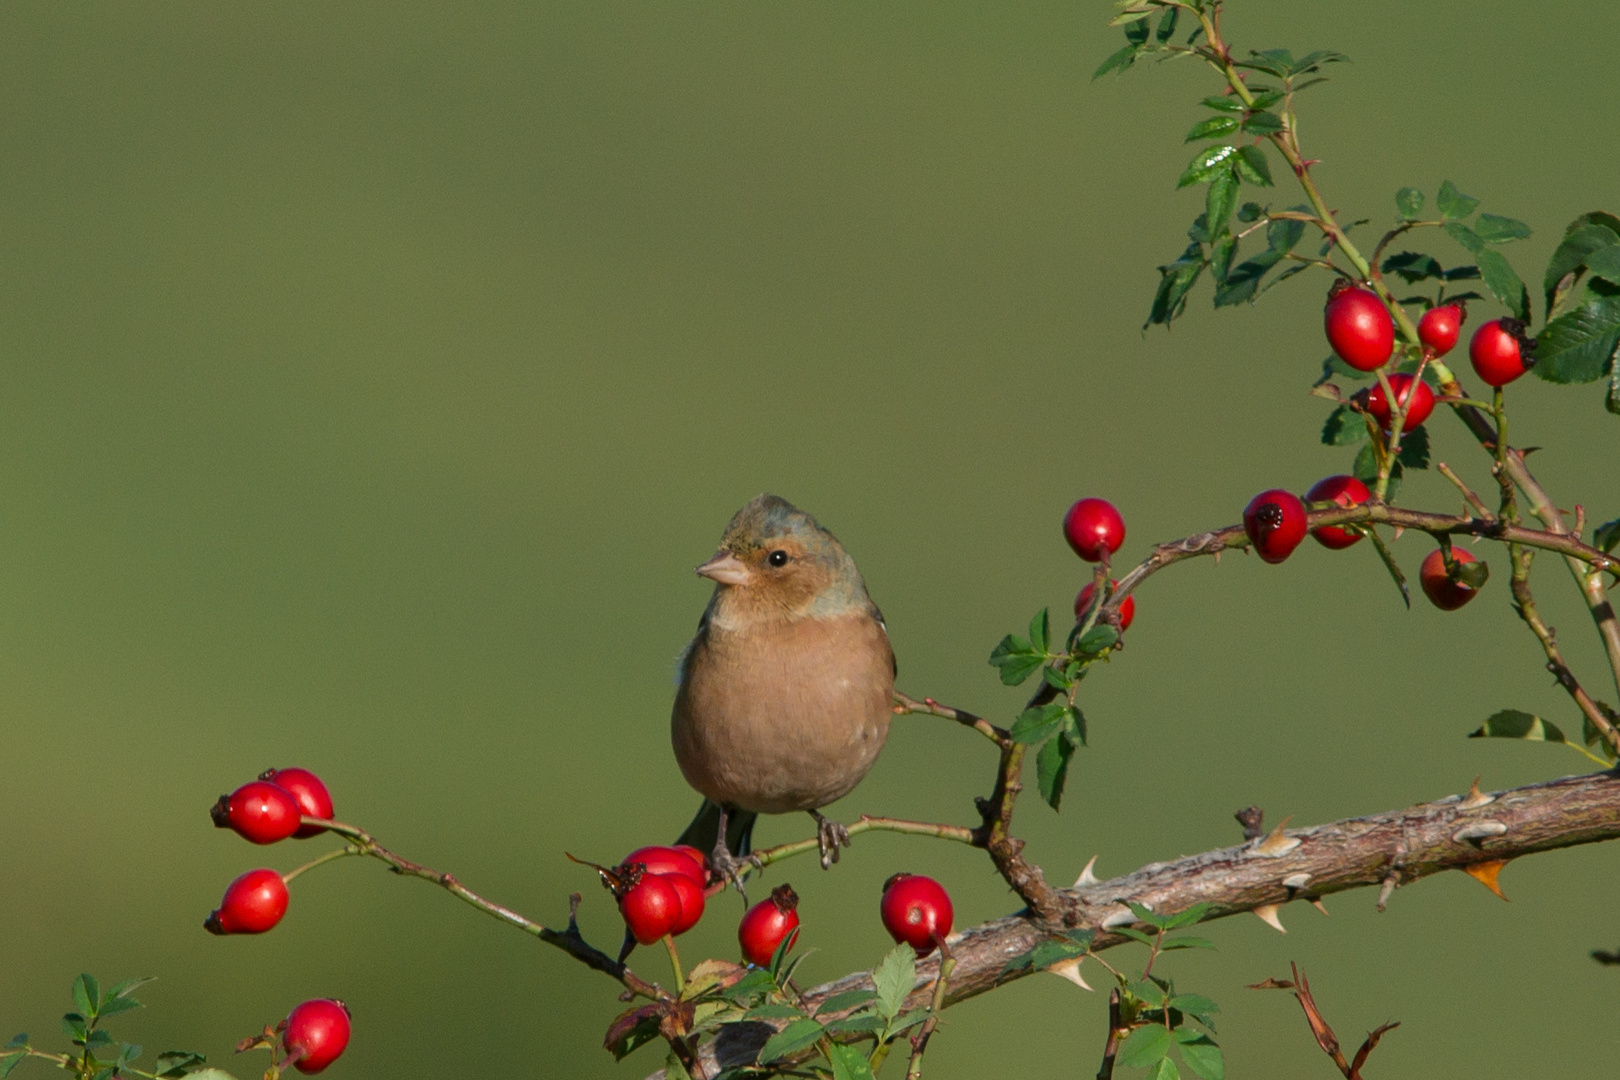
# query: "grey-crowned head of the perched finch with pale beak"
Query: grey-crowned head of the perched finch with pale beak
777,559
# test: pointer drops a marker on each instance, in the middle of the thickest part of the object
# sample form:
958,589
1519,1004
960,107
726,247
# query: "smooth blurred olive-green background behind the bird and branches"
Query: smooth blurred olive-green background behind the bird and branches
375,376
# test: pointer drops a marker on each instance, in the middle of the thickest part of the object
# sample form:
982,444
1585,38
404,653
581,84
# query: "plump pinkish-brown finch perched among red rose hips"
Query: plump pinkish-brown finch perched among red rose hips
788,689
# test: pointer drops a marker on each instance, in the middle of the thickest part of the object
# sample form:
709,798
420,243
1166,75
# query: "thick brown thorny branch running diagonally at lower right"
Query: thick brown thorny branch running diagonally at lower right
1298,865
